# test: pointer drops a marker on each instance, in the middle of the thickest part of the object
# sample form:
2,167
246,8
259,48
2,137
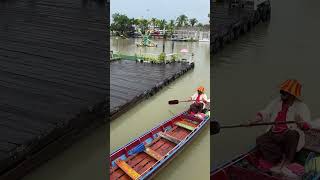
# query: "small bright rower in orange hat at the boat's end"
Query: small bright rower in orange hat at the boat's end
199,101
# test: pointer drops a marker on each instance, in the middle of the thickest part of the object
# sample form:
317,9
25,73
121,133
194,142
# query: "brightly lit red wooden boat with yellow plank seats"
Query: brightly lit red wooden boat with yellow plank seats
161,145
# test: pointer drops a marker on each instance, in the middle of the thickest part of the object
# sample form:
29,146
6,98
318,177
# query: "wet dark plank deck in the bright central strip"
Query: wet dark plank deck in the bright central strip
131,81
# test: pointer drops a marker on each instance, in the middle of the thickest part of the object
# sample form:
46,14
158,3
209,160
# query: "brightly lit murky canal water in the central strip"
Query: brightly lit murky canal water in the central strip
194,161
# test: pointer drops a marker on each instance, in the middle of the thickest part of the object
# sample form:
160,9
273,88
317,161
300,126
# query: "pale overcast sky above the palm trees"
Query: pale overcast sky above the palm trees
162,9
